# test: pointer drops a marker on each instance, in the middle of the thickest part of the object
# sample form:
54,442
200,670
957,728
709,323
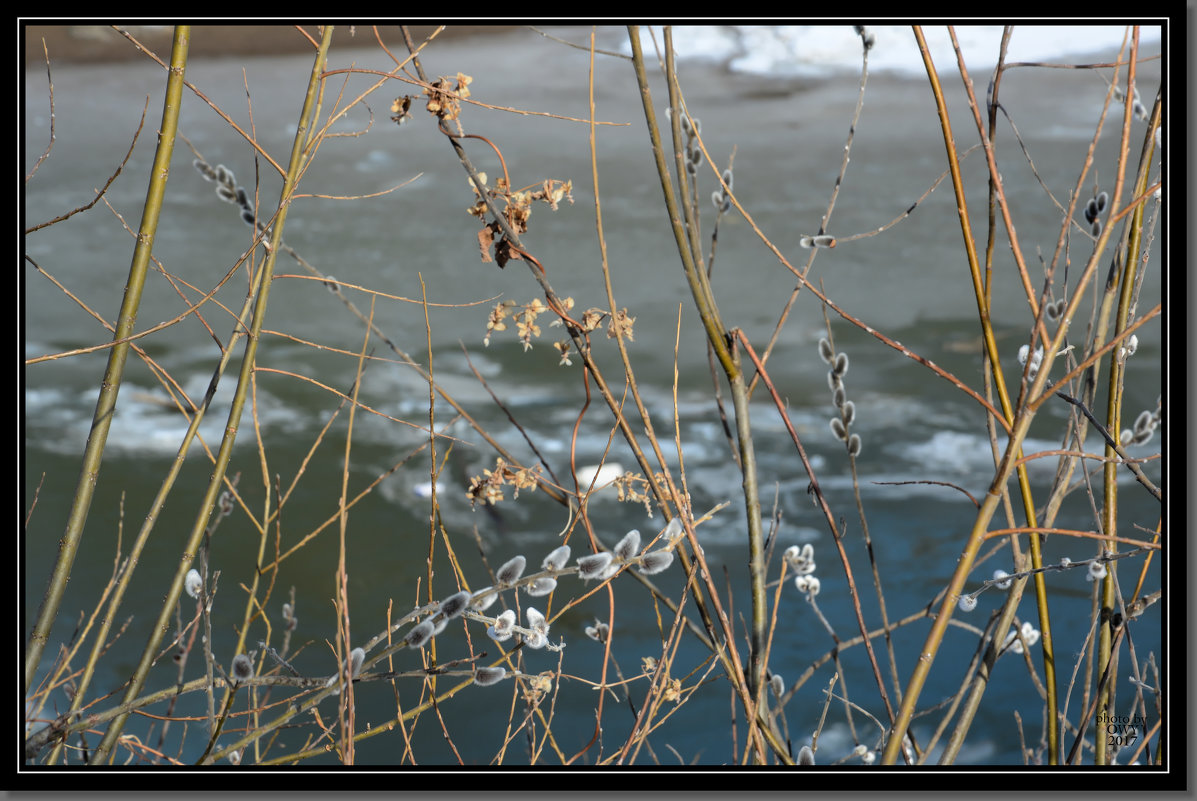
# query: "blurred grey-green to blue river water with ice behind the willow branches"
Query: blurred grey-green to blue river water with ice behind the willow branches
788,138
